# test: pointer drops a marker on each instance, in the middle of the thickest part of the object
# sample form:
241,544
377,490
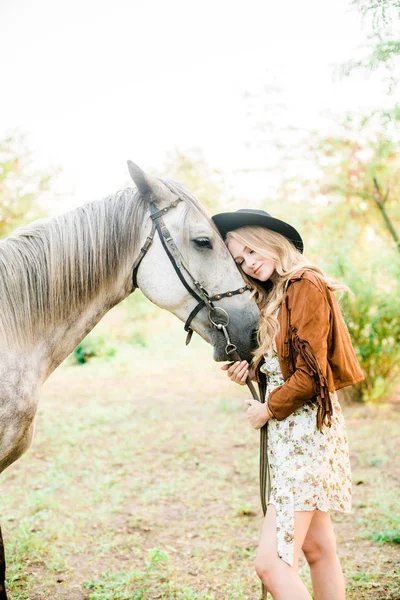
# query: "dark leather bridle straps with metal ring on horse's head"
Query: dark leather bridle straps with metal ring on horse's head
218,317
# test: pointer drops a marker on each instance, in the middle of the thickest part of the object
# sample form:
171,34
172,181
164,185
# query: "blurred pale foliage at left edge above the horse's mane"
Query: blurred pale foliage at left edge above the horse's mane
20,185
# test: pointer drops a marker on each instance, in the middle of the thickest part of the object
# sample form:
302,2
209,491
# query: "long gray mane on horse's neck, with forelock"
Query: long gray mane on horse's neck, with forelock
54,267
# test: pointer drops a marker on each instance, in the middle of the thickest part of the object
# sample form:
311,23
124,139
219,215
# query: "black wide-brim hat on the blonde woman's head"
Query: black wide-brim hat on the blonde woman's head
251,216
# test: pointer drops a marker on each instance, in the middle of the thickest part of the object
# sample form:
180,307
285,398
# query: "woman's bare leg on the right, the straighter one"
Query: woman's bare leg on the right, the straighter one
320,551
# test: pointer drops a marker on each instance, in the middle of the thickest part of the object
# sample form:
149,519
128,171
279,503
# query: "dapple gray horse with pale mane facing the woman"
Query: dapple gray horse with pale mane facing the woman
59,276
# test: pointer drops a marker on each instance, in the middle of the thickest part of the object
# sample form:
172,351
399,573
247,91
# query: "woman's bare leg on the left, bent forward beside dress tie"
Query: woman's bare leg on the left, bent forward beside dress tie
280,579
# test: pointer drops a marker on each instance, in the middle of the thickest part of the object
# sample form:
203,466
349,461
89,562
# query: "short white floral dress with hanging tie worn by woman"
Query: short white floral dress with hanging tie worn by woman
309,469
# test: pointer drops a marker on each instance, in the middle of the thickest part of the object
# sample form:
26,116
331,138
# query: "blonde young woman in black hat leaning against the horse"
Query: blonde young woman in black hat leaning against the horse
305,351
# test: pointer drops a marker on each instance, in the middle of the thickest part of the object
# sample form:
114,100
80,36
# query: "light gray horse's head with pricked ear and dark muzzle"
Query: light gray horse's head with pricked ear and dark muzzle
206,260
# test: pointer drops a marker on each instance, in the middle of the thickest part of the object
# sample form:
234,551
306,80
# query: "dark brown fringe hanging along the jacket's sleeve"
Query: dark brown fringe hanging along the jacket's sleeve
325,410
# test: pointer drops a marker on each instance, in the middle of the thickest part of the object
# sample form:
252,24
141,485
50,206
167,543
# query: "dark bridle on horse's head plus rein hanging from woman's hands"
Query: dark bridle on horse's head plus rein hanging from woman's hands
218,317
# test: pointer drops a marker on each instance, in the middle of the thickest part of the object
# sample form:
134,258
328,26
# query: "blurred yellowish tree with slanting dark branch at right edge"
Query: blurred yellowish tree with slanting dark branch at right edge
360,169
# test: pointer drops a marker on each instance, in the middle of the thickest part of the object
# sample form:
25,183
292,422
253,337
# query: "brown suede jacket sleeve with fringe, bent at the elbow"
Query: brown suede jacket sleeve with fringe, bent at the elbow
309,324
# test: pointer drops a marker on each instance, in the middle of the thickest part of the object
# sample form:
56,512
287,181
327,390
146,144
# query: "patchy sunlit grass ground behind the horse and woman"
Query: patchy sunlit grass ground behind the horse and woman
142,483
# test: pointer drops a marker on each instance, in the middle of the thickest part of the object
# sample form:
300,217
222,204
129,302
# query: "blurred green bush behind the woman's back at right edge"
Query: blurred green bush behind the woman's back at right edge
372,311
